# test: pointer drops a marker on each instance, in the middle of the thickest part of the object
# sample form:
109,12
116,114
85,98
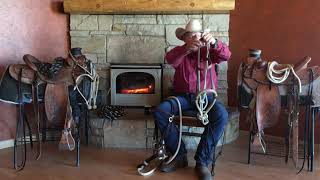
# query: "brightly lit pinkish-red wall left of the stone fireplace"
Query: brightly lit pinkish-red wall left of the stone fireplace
37,27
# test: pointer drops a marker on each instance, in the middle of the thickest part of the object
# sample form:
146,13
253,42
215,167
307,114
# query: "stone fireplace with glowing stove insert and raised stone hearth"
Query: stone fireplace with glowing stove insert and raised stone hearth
110,40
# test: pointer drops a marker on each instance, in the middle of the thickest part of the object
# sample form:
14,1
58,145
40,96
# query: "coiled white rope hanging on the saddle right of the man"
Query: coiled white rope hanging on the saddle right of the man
282,74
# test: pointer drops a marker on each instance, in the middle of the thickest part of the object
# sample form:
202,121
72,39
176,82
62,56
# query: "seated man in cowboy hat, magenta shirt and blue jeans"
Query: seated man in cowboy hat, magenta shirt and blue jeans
184,60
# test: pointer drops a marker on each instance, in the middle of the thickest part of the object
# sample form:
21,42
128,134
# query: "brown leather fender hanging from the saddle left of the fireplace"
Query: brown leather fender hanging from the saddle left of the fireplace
56,103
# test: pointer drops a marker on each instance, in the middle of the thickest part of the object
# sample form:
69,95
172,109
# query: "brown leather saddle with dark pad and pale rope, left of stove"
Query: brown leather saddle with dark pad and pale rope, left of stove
54,85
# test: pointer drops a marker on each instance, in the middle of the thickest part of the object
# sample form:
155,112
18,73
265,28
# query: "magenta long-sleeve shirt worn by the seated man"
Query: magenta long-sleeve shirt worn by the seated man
185,63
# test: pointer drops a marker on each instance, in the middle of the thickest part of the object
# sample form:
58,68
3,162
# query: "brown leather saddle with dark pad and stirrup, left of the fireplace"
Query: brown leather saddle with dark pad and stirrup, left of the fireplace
48,83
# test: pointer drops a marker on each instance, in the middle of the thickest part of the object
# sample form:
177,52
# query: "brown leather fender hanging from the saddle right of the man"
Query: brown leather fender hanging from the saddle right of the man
268,106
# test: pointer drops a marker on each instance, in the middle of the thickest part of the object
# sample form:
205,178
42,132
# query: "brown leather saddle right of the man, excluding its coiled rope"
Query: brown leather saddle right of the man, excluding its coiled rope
264,97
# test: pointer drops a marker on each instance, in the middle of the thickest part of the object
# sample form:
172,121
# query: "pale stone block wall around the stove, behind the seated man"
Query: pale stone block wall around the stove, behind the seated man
109,39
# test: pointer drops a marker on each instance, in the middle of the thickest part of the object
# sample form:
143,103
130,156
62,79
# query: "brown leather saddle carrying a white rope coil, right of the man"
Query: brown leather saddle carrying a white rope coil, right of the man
264,98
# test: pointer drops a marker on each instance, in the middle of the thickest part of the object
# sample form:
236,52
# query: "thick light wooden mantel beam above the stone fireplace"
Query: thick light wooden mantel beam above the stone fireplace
146,6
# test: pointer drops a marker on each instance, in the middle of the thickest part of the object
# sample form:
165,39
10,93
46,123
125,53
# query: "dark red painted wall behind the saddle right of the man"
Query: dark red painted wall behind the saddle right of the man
285,31
